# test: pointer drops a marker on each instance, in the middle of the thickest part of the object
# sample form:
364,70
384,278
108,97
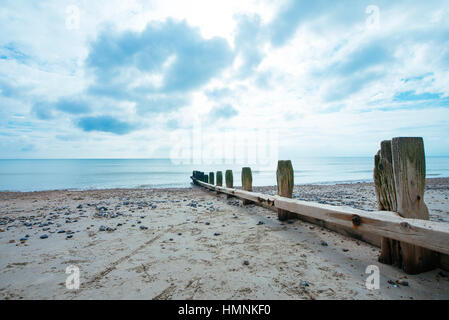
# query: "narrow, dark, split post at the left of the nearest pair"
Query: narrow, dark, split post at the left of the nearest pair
386,200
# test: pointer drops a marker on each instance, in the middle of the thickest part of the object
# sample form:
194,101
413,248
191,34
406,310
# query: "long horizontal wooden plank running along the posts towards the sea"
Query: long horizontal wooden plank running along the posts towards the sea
424,233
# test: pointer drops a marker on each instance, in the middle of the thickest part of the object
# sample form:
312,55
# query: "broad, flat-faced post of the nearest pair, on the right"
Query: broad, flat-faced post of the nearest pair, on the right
409,169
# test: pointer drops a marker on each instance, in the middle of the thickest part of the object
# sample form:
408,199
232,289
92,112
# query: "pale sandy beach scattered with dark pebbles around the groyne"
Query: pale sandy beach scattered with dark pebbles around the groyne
194,244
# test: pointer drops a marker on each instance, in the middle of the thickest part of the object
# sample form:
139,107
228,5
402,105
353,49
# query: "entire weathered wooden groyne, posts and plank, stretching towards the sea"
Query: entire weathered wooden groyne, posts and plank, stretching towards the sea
401,226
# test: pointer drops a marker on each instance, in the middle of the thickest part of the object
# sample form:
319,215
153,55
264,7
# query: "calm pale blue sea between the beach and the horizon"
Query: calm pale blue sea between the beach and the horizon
35,175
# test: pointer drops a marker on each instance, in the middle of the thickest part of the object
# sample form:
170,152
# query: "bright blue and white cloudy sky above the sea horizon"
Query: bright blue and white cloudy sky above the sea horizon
130,79
